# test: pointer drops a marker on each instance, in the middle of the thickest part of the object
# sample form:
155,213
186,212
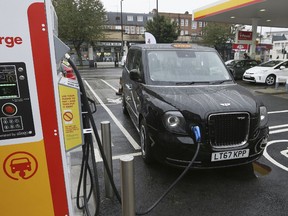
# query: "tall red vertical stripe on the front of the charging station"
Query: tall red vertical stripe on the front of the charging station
45,89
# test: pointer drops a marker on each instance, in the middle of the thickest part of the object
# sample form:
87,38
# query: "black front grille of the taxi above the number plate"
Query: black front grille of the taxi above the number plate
228,129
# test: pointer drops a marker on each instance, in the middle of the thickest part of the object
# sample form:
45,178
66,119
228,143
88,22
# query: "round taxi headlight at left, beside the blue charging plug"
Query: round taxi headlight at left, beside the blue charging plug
174,122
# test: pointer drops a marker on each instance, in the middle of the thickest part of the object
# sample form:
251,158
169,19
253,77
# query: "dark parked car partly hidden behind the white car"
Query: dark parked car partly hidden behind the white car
238,67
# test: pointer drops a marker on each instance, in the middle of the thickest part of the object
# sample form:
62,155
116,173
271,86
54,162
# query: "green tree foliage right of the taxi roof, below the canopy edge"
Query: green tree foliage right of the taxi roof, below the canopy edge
217,34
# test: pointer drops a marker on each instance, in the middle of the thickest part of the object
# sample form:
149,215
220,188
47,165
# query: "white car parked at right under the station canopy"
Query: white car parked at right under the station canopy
267,72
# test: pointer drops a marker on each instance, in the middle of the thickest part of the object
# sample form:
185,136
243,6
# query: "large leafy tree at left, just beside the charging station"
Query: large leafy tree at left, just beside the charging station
80,21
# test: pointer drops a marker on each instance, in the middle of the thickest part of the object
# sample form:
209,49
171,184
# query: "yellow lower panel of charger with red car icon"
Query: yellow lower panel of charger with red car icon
24,180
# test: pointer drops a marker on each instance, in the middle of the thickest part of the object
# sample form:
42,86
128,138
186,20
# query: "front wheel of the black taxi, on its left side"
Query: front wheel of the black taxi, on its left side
145,143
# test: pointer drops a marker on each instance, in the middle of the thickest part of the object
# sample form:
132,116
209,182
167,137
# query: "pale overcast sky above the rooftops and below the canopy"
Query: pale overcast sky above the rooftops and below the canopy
173,6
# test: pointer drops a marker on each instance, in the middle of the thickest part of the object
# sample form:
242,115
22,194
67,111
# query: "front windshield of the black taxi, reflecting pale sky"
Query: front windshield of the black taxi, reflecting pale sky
186,66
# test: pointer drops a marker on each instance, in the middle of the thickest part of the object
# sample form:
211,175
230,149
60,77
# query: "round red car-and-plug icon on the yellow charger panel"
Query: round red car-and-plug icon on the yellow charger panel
20,165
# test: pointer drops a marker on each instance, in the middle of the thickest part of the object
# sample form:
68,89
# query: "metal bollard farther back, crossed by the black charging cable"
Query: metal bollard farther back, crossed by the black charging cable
106,142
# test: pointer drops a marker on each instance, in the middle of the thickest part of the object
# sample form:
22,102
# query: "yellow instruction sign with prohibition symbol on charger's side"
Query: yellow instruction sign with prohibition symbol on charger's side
71,113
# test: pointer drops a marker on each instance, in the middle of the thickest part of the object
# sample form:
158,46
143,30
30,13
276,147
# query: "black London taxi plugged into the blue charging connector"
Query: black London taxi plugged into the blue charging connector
180,95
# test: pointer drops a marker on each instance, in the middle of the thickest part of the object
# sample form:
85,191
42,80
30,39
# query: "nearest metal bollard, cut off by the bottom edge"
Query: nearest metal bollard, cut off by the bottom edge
127,186
